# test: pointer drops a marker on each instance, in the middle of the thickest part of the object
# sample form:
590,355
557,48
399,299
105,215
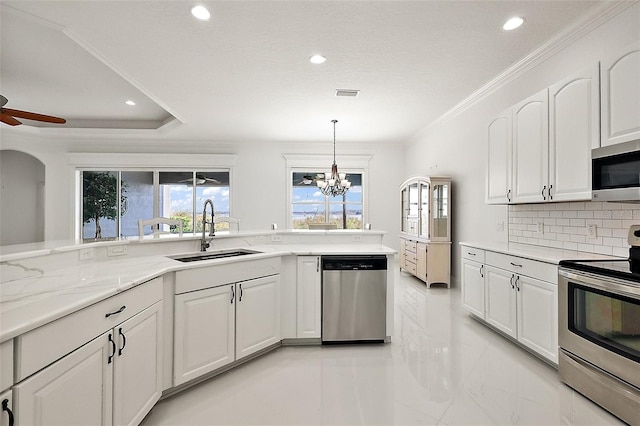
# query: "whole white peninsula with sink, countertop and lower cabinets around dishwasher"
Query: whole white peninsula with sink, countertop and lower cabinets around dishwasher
66,305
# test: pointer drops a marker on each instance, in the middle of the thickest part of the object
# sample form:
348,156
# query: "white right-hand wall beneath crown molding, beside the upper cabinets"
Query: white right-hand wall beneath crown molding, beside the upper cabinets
458,147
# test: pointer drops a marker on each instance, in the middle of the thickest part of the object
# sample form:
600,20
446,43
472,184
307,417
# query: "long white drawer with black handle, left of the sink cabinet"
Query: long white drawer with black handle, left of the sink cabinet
44,345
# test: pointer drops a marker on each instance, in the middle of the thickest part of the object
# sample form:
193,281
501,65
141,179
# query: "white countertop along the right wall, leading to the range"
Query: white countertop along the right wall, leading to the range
540,253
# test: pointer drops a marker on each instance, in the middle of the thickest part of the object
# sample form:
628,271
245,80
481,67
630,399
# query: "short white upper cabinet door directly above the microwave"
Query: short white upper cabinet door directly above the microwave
620,111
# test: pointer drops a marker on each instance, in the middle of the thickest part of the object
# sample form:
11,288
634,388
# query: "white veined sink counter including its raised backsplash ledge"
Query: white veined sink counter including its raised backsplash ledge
46,282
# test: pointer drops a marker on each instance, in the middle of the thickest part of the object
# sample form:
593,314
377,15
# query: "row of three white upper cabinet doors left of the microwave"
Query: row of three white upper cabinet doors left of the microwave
540,149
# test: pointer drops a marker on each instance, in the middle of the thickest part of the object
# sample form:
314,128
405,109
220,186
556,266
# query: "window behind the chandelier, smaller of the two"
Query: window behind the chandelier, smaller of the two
309,205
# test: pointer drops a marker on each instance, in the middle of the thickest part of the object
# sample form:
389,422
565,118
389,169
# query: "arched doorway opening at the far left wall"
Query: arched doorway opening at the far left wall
22,184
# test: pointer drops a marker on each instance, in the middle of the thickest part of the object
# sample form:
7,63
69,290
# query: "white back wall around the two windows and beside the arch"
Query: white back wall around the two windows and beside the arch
259,176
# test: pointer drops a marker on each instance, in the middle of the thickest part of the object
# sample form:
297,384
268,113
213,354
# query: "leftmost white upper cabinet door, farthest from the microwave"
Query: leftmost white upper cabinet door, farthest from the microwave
499,159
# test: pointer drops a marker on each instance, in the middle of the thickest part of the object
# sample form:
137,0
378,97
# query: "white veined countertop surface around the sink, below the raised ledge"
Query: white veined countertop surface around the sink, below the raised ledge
31,296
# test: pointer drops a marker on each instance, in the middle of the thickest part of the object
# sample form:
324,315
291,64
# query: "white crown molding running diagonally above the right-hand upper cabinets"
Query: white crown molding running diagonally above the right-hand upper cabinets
587,23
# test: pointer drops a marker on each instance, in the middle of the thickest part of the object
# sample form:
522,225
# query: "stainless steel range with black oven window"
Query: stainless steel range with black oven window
599,333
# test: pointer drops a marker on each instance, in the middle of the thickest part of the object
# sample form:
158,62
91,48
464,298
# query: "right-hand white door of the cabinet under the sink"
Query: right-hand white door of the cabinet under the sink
257,314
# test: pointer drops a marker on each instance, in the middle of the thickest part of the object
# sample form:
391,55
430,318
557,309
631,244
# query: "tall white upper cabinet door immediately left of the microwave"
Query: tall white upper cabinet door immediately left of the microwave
573,133
